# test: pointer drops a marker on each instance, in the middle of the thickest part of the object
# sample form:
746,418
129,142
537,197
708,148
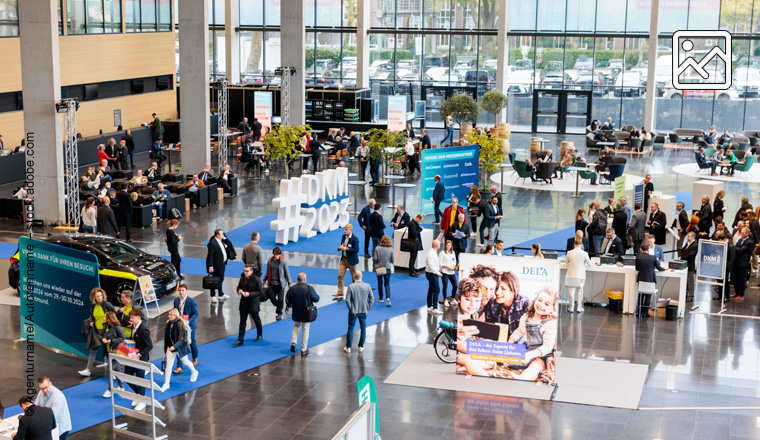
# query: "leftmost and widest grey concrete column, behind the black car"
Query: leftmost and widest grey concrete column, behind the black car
40,68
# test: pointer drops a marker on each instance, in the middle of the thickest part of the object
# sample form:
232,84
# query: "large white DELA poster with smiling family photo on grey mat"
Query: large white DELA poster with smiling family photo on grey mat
507,320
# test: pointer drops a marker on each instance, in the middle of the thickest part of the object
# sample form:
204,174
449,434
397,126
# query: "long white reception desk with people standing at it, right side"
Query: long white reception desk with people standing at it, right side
670,284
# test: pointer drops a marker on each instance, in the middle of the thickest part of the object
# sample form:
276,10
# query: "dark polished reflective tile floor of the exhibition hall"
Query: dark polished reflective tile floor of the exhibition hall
702,361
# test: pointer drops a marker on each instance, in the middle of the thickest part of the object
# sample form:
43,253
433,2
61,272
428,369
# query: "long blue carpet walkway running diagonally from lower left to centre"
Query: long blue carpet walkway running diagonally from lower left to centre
331,324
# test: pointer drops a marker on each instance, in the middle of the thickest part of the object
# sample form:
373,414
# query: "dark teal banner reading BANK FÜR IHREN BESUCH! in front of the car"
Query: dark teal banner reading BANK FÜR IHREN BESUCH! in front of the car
55,290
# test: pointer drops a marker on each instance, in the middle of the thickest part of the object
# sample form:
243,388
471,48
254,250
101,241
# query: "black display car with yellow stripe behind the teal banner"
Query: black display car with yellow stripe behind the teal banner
119,264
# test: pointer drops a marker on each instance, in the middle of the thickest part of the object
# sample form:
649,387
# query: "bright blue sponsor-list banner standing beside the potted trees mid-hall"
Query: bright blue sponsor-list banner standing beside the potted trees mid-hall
458,168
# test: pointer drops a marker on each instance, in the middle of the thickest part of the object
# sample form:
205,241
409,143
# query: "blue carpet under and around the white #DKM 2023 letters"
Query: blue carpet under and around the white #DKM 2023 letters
319,244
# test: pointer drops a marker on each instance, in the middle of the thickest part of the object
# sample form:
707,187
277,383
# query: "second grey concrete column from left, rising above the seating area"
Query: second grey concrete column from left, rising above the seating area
195,129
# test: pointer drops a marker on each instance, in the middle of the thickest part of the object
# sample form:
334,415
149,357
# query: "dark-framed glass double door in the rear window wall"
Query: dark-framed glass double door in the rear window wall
561,111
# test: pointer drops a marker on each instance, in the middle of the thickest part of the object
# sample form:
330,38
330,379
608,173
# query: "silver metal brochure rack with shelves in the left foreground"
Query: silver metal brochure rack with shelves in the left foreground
149,400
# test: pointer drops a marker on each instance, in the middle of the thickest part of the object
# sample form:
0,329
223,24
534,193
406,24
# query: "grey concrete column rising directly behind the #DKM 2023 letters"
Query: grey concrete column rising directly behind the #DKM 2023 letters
293,54
